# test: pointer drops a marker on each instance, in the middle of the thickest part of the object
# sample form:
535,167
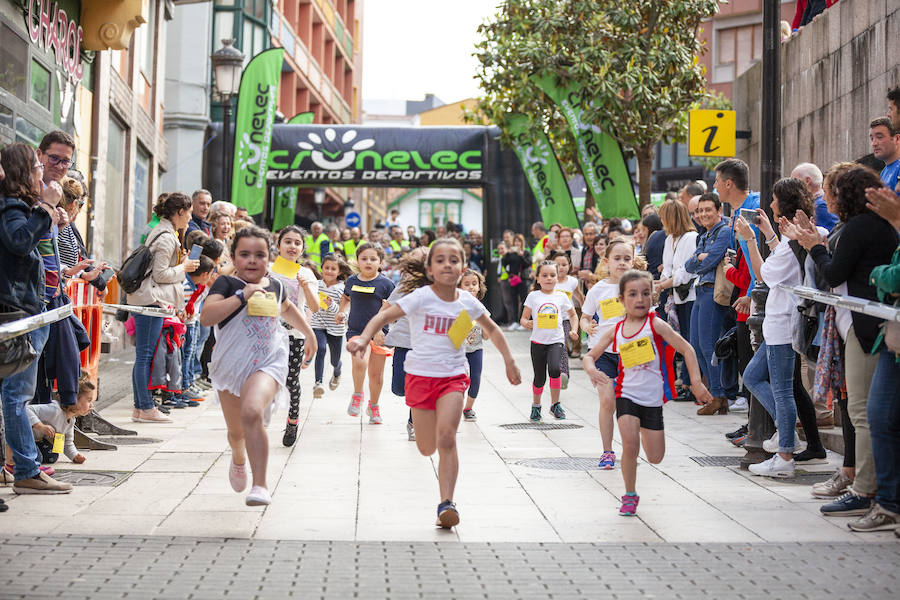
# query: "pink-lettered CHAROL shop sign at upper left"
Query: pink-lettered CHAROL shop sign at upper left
51,28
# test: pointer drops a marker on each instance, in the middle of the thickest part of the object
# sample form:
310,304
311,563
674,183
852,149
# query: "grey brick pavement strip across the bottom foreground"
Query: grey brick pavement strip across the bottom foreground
99,567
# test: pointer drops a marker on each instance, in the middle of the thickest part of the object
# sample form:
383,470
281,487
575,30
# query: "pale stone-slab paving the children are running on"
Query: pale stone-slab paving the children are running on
348,481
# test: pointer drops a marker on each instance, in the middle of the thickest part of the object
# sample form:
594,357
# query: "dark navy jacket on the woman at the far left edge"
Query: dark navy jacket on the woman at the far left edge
22,275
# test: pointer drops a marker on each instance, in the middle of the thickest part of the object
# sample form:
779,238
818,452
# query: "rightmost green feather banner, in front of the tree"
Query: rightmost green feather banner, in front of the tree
599,155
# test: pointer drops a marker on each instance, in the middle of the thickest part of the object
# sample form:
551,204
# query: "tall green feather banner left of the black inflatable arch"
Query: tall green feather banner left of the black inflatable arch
257,101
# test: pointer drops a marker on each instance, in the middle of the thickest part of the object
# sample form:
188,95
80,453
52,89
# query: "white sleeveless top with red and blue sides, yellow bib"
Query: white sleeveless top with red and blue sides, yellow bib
641,364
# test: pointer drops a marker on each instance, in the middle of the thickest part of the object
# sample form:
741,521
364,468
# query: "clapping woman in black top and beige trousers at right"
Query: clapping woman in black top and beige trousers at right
866,241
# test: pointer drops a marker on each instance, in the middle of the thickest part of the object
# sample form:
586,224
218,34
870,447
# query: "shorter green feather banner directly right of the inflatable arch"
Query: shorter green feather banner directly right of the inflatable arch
545,177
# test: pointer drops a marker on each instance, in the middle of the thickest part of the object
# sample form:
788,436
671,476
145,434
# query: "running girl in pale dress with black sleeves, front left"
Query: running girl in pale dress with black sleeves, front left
250,361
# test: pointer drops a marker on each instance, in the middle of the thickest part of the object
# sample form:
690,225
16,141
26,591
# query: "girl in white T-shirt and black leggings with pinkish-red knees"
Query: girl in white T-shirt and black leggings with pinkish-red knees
547,306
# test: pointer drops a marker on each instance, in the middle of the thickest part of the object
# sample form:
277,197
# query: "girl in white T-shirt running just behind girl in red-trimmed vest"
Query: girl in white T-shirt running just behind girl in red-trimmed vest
600,313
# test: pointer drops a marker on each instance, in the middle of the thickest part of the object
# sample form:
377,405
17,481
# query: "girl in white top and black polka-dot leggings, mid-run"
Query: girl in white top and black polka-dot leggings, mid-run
301,291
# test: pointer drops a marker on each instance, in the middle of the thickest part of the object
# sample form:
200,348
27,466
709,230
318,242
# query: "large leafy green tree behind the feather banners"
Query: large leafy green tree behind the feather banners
637,62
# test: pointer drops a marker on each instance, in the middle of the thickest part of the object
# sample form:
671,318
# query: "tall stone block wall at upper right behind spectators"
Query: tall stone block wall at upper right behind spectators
835,77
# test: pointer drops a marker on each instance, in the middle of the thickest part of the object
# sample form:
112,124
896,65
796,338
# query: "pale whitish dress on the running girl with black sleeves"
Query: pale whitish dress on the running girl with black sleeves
246,345
